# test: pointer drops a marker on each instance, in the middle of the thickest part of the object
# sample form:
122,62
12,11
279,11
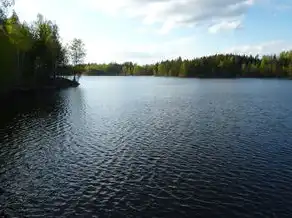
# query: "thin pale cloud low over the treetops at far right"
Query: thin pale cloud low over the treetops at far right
270,47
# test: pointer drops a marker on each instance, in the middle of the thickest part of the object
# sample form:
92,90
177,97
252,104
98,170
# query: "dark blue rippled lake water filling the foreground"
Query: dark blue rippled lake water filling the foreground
149,147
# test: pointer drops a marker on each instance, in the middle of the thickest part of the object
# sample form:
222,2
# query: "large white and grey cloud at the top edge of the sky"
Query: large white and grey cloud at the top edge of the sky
173,13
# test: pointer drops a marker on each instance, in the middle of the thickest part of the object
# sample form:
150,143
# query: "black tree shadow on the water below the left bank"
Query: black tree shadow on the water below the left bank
26,110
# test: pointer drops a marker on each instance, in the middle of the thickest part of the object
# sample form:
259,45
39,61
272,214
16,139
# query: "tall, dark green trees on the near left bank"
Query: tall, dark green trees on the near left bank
32,54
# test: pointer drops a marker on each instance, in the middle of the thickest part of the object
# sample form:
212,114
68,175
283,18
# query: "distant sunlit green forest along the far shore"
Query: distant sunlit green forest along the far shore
216,66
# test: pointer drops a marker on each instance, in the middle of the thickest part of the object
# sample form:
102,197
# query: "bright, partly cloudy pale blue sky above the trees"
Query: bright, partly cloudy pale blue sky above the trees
147,31
